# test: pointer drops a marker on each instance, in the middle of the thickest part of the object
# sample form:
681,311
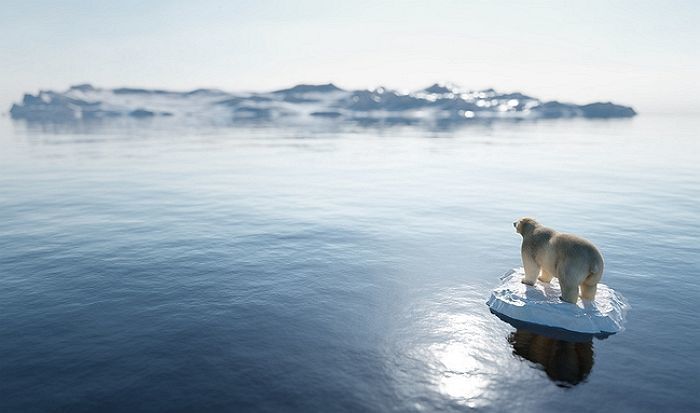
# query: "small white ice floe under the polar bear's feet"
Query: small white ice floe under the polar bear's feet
541,305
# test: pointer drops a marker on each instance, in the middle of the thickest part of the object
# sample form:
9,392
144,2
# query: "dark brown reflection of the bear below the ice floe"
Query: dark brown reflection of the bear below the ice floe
566,363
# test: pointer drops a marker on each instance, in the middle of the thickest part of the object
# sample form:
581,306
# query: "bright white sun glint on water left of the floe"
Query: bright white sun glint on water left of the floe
450,356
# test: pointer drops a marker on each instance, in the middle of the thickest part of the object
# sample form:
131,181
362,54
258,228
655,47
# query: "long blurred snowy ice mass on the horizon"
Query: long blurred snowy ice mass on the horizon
304,102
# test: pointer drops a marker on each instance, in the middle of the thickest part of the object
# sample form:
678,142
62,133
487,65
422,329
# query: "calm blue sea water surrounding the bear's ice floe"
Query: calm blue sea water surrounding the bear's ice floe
171,268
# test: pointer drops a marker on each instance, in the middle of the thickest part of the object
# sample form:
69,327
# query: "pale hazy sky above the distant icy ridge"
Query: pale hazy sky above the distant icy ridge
642,53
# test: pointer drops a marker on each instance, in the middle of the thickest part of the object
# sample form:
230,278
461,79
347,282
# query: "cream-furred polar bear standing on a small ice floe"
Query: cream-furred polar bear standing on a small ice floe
573,260
